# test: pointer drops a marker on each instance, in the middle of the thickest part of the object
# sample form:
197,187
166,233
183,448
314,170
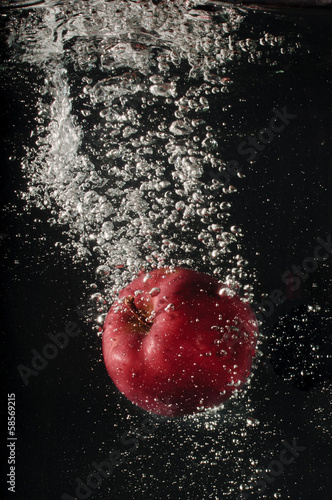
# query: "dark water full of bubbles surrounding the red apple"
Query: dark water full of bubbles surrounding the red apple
121,121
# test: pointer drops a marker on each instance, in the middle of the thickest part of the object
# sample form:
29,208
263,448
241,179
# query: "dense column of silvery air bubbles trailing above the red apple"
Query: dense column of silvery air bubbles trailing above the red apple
126,157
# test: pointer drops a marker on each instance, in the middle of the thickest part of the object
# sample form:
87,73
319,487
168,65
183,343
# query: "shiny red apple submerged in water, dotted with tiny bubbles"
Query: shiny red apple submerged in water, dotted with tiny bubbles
184,349
